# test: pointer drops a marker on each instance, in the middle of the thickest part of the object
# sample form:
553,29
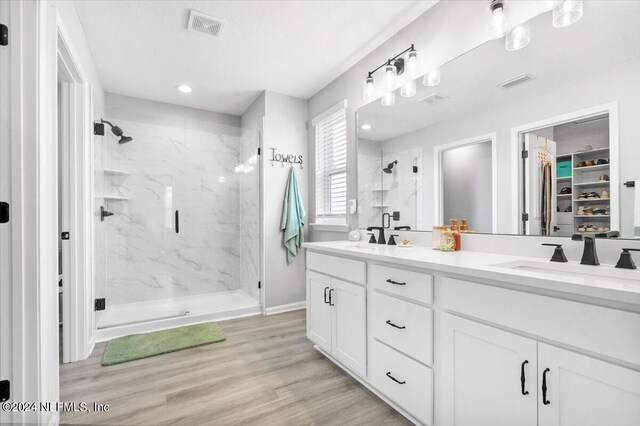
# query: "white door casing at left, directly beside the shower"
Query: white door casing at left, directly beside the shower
77,293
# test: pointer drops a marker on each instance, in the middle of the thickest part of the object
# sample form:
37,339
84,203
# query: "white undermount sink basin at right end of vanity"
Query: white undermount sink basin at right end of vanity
574,270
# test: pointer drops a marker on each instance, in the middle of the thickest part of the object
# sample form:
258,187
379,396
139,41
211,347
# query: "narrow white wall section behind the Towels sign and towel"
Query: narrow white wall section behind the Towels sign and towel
285,129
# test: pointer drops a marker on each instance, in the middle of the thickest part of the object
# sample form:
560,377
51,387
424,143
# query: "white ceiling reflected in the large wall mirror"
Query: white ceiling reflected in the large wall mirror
604,37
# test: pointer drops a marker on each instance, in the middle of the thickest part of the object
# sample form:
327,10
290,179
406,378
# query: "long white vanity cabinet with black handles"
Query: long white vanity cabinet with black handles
445,349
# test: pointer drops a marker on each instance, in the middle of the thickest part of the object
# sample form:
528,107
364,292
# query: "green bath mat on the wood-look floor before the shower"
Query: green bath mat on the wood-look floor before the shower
138,346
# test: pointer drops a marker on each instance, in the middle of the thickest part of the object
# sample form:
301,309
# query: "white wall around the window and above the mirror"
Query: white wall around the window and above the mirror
444,32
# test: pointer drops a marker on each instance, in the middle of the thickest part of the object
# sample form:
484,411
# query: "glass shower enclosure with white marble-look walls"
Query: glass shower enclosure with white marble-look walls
183,242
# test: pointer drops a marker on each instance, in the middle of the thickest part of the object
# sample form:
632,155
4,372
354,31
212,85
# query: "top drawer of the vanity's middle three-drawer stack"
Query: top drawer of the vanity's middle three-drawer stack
409,284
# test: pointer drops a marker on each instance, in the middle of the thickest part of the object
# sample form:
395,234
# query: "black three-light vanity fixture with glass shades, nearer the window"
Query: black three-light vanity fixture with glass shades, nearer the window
393,68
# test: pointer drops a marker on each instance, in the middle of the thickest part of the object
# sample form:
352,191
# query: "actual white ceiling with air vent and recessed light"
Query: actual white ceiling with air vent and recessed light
142,48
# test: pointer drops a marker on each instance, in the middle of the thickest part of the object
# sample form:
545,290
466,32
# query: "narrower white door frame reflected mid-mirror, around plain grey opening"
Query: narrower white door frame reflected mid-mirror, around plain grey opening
438,150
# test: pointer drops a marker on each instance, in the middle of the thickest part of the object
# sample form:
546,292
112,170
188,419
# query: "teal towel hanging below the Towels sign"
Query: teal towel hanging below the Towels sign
292,221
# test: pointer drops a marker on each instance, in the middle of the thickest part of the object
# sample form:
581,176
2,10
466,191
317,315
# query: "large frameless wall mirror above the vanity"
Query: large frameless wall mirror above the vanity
537,141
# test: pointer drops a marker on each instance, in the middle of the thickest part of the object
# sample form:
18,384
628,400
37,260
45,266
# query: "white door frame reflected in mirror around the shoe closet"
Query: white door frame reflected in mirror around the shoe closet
517,166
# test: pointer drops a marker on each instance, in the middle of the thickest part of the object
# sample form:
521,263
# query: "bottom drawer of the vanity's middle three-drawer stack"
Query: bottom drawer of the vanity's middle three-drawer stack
414,393
